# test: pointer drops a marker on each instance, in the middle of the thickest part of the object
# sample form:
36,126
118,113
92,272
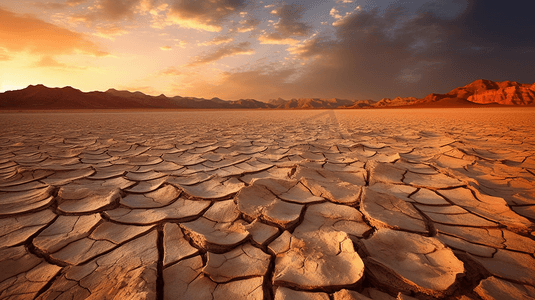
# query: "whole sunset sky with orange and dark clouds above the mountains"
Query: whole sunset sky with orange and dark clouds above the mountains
238,49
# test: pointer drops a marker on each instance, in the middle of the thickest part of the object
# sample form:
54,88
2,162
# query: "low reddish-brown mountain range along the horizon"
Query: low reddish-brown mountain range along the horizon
476,94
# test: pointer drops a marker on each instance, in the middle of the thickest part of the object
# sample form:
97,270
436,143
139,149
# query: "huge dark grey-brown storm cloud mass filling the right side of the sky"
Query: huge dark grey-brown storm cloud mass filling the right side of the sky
397,52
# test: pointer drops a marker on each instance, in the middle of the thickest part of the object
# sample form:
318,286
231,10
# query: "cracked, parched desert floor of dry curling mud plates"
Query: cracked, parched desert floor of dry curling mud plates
345,204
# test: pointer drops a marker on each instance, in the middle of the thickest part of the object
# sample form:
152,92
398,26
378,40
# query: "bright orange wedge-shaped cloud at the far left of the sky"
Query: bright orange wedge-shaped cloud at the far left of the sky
26,33
